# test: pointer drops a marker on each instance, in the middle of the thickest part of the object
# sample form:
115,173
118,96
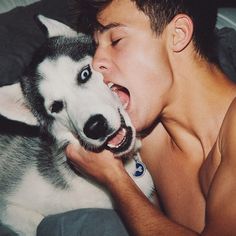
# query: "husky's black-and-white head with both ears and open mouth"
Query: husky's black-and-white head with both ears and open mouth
67,97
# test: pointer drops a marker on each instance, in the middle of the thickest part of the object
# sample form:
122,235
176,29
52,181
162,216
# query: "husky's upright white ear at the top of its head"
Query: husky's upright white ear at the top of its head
56,28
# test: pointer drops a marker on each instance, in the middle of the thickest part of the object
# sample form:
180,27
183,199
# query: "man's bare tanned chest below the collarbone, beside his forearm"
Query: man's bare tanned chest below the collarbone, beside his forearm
182,178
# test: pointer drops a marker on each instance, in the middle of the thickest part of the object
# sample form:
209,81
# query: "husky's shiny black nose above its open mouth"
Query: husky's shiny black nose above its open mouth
96,127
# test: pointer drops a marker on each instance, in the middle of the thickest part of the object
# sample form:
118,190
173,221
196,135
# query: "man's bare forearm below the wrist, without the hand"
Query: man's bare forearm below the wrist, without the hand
139,214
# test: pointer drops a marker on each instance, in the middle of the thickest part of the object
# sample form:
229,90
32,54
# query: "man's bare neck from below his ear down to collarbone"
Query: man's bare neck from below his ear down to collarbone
200,97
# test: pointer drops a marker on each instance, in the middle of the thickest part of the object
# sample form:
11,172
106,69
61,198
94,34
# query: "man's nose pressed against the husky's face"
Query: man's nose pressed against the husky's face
101,62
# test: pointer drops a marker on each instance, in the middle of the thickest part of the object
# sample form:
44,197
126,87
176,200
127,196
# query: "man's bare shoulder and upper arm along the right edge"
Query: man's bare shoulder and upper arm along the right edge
221,207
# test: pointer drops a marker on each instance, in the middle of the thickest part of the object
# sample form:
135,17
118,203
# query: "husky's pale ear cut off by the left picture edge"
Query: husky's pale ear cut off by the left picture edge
13,106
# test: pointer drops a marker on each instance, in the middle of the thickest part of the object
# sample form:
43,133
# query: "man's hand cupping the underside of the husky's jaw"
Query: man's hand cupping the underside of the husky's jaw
103,166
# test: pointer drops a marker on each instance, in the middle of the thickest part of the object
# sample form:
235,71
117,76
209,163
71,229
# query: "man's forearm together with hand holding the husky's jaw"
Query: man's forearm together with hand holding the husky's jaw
142,218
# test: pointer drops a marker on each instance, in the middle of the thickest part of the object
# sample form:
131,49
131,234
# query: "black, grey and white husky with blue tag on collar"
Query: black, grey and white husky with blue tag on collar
62,95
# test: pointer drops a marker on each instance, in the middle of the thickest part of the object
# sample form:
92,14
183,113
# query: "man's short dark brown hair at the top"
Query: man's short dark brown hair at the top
160,12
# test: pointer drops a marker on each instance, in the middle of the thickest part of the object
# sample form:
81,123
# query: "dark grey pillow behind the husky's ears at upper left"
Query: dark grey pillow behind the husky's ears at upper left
20,36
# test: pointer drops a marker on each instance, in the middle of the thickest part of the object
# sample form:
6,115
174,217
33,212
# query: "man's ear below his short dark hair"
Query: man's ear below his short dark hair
182,32
